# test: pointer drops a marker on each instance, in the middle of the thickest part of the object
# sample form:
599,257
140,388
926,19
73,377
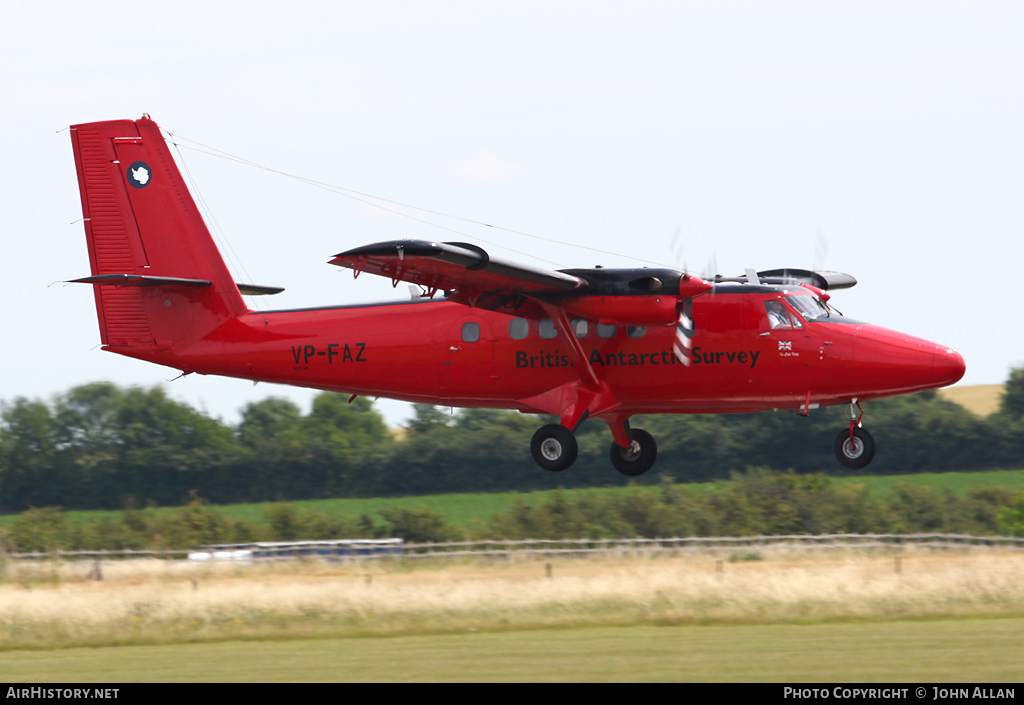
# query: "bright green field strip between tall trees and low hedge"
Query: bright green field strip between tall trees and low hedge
463,510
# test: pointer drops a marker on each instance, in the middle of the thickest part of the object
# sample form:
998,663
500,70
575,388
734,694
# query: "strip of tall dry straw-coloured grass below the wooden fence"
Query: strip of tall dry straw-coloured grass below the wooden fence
153,603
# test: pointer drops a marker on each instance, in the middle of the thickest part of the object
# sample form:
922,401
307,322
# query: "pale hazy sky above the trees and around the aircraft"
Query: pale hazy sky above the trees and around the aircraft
891,129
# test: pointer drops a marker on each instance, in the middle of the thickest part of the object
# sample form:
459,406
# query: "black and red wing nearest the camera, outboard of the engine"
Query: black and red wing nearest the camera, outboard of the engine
468,272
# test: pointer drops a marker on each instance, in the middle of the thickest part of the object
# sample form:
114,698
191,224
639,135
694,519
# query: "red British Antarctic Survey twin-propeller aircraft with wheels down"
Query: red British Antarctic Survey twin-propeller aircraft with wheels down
575,344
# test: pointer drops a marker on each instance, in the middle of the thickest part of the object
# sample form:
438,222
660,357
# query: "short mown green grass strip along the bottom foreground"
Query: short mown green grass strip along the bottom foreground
980,651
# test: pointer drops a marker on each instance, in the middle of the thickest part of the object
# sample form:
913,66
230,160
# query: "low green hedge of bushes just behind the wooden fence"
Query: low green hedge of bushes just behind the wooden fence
759,502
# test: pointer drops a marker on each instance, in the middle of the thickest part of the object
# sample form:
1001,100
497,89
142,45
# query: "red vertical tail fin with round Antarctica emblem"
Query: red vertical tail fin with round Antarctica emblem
141,221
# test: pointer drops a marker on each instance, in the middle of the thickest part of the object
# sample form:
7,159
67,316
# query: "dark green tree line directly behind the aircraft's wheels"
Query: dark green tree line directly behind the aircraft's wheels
102,446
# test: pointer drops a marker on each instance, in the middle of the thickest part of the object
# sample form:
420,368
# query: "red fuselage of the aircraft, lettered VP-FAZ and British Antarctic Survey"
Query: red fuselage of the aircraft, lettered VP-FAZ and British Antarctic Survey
416,352
